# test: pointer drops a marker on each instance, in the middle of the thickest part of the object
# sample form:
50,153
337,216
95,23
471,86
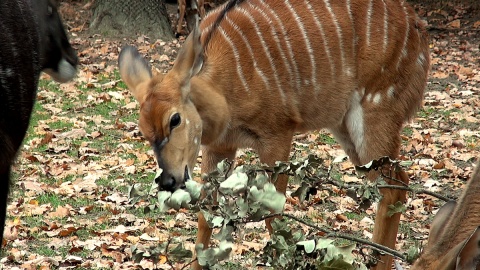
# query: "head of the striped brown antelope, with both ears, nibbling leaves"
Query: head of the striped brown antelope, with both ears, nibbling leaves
168,117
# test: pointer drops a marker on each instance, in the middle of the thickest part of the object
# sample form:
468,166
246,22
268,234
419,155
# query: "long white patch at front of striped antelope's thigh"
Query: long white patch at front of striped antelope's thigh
354,122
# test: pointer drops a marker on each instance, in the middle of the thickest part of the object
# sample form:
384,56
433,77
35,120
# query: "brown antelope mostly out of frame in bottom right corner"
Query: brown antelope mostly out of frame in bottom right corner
454,241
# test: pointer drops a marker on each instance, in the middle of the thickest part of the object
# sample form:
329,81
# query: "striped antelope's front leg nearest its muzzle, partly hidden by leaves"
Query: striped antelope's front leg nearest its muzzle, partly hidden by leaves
210,159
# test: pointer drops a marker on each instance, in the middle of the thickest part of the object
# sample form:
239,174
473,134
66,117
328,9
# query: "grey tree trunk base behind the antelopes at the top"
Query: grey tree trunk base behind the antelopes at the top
121,18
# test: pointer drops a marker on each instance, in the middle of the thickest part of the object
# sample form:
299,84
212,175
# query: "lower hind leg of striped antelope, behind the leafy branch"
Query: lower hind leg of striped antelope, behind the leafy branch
386,228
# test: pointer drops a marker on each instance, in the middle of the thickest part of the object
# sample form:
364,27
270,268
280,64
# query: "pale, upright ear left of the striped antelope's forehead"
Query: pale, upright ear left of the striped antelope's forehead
135,72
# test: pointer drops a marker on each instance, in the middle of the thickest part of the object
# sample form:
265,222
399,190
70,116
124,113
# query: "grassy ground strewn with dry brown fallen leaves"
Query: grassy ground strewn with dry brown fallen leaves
69,206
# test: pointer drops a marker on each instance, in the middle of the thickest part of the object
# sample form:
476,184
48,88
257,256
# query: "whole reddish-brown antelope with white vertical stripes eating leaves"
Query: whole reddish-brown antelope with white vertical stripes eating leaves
257,71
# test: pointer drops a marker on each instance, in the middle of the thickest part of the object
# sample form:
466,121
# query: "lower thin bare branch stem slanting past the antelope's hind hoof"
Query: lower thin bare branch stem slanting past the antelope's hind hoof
331,234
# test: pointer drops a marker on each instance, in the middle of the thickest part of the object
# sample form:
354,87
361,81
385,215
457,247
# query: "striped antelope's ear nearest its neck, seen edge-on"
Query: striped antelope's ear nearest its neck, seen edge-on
190,58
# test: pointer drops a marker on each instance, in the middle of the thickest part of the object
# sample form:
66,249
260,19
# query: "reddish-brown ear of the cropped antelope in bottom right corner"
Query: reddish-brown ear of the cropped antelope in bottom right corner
469,256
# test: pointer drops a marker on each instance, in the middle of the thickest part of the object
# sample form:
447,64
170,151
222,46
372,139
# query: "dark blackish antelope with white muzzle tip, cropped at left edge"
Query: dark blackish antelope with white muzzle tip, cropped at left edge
32,39
